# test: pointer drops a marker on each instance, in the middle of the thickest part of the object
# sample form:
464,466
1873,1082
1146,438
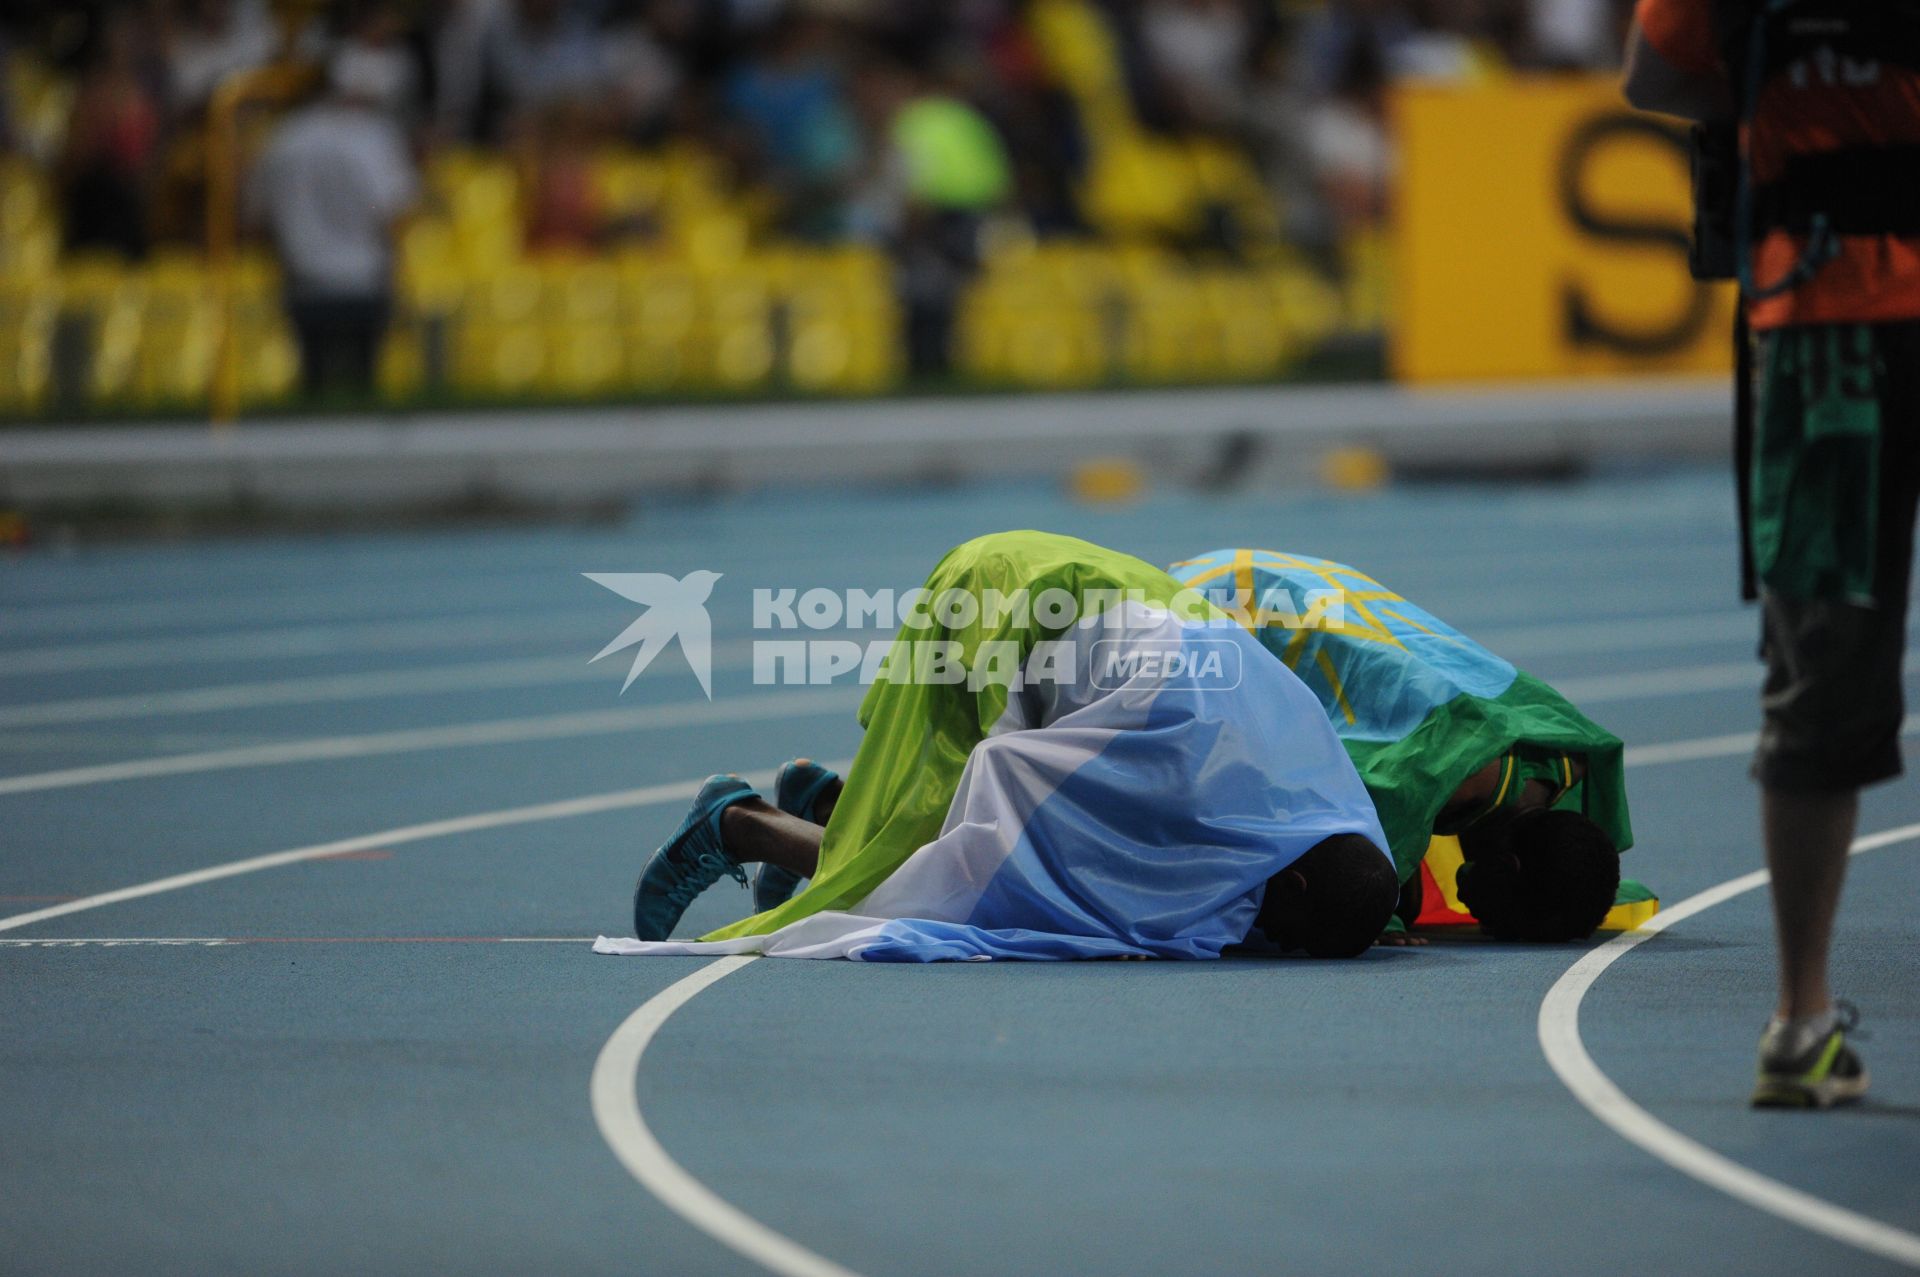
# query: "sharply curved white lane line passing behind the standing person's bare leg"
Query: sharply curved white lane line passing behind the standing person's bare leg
1560,1040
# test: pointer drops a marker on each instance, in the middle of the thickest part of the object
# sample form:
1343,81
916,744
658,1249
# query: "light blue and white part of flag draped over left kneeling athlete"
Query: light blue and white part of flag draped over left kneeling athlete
1147,781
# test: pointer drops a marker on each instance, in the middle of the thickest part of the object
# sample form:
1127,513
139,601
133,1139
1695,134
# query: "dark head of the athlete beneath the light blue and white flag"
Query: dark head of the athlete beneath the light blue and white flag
1333,902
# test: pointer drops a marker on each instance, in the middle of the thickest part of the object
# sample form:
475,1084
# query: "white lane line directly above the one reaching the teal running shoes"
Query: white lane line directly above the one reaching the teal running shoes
458,736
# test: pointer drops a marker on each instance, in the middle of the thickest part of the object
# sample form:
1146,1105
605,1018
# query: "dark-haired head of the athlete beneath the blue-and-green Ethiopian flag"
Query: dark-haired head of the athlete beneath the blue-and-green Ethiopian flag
1539,877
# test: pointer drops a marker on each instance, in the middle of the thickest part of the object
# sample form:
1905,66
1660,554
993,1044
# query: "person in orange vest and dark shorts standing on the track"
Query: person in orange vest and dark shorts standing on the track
1827,245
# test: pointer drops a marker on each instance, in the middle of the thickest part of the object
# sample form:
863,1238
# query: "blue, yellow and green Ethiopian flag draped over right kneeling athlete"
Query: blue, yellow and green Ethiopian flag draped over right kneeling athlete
1418,706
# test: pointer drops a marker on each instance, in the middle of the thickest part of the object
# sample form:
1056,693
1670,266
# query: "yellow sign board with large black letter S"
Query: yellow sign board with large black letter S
1543,231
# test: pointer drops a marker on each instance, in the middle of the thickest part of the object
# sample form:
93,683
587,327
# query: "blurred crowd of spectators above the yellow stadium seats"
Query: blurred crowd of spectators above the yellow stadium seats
903,124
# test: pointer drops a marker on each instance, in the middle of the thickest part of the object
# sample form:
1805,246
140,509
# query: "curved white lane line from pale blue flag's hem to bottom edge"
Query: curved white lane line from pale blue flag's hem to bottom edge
615,1097
